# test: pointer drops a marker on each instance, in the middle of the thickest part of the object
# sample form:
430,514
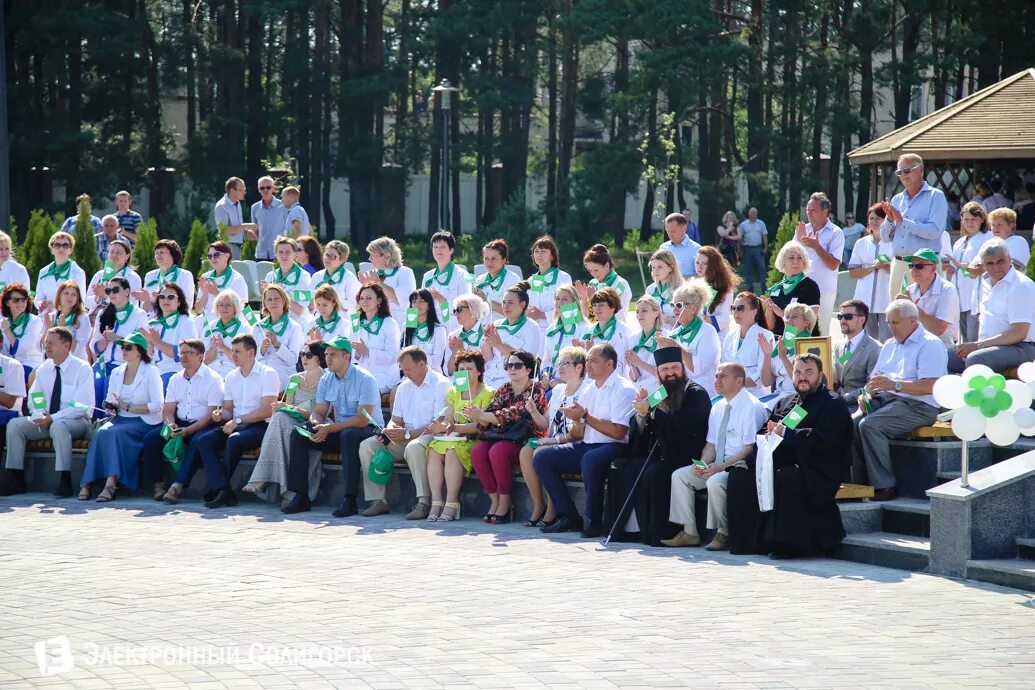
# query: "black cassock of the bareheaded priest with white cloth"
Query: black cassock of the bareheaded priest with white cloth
808,470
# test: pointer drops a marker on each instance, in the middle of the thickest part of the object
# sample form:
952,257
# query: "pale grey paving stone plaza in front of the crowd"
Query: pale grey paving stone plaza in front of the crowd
139,595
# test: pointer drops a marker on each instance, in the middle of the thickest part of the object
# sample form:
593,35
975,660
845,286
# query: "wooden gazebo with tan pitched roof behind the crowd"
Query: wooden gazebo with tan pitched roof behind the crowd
991,134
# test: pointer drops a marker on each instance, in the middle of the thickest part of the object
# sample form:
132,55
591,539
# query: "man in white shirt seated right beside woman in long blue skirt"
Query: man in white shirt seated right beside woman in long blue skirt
194,394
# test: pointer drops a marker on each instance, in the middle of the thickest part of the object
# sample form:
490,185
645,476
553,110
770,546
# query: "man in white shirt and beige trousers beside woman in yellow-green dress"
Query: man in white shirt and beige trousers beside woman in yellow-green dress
420,401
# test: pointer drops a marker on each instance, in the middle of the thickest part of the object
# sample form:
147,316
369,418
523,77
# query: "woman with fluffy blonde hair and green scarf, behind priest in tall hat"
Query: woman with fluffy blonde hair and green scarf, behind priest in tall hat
698,339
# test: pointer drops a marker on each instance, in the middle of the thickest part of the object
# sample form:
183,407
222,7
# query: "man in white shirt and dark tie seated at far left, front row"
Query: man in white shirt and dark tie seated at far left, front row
62,405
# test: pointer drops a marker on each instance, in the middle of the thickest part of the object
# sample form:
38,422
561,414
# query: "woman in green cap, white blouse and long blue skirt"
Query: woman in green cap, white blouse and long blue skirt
136,400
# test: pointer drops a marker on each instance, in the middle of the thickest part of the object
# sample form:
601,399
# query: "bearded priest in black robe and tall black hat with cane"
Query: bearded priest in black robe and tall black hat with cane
679,427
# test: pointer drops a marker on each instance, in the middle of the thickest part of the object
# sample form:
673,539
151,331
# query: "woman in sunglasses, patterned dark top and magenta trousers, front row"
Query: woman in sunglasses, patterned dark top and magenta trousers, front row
511,408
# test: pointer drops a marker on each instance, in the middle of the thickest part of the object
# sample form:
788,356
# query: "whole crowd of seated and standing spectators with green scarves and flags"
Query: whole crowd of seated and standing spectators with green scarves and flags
662,396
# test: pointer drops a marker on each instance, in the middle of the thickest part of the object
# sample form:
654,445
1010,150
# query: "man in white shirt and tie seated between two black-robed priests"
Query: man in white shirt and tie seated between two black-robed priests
733,424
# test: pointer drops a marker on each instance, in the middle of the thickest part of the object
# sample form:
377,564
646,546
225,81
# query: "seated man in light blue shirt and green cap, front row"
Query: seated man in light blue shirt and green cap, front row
350,392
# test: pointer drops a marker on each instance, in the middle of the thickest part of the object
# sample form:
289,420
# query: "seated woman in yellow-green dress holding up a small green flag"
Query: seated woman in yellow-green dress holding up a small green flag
450,454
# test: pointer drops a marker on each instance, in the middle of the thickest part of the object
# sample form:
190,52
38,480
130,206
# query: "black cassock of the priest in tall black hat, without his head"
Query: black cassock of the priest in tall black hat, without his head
682,436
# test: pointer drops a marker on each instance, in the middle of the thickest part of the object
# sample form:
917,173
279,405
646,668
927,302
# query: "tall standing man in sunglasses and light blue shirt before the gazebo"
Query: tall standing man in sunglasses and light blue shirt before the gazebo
915,220
